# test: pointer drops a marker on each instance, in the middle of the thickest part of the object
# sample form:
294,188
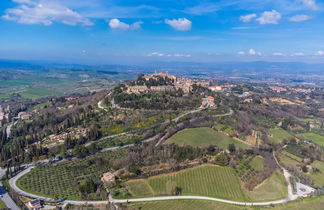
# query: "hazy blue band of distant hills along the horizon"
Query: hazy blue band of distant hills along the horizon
229,67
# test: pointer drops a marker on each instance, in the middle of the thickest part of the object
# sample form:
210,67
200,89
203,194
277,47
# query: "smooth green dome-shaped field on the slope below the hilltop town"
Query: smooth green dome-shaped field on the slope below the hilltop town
203,137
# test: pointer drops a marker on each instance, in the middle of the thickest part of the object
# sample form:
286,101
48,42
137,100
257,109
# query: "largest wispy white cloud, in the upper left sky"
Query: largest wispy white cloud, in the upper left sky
44,12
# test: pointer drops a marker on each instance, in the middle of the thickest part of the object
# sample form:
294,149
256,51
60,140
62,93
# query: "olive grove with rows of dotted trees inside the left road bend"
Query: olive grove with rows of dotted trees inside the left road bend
61,181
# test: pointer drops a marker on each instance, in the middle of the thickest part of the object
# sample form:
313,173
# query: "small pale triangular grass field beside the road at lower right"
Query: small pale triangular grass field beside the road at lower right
273,188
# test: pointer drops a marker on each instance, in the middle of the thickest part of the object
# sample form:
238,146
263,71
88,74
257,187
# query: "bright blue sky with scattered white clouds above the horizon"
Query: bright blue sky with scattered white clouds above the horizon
115,31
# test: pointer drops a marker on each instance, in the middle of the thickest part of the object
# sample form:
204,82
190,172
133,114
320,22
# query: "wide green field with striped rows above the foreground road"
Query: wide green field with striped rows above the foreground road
206,180
